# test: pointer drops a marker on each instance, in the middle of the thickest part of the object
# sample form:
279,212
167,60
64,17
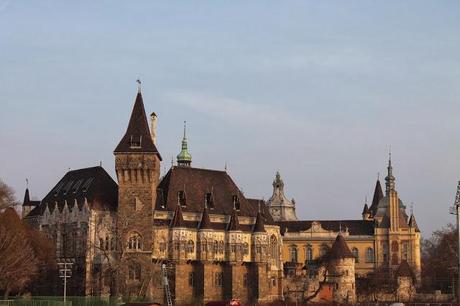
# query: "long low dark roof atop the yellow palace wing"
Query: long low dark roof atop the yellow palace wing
355,227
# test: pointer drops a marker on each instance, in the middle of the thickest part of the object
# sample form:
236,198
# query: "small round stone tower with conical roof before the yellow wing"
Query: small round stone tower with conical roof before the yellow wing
341,271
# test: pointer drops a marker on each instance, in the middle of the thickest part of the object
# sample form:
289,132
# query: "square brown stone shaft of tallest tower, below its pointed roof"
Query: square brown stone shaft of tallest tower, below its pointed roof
138,177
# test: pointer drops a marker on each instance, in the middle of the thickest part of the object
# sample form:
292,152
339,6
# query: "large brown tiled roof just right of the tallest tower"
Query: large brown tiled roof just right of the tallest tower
195,183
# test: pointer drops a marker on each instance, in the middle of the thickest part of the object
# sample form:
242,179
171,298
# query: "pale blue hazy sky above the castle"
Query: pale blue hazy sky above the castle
318,90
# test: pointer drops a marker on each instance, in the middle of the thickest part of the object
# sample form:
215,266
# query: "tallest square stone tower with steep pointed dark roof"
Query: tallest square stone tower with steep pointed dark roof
137,166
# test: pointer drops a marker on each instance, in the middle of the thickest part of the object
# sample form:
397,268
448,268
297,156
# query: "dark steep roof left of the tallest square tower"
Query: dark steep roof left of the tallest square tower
93,183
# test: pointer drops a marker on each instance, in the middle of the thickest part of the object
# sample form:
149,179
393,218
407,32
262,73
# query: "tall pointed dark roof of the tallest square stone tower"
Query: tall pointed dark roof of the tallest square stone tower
137,138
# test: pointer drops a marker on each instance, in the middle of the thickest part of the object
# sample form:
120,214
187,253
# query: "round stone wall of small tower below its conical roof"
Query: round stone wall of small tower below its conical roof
342,274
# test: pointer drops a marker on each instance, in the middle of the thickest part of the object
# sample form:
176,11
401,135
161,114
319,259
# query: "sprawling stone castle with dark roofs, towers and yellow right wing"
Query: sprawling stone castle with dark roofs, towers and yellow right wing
213,242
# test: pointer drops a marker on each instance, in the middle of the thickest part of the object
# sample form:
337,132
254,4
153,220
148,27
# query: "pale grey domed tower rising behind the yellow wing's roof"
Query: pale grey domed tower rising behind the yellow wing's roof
279,206
